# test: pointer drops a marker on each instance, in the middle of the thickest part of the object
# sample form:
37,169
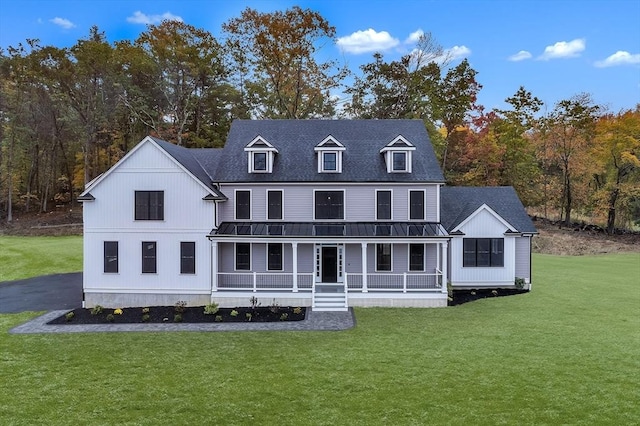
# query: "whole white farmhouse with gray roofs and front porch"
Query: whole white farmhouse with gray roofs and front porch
320,213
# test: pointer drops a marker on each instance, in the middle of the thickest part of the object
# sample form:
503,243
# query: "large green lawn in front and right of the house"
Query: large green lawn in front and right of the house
566,353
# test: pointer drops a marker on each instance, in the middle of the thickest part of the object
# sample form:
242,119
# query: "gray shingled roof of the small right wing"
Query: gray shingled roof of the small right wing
458,202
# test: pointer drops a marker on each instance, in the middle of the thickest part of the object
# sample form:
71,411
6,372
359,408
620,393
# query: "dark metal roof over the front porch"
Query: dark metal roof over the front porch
330,229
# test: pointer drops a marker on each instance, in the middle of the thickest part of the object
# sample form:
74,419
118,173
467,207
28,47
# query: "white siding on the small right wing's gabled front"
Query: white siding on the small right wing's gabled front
482,225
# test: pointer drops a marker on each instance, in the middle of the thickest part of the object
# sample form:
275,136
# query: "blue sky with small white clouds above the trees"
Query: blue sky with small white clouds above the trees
555,49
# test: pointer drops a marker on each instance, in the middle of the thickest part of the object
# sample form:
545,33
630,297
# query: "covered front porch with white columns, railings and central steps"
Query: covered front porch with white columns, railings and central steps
330,272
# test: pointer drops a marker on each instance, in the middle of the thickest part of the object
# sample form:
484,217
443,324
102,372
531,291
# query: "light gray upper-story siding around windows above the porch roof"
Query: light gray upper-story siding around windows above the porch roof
298,201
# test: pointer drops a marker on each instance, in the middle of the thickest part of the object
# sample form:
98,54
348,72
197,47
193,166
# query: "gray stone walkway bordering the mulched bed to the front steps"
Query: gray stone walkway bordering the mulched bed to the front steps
315,321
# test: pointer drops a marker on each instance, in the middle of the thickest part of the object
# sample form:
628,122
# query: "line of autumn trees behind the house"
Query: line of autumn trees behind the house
68,114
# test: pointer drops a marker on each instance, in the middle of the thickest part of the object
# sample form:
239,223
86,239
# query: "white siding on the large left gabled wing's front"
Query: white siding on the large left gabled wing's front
111,217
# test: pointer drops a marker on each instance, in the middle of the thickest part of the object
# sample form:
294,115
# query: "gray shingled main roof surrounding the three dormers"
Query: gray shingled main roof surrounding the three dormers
296,160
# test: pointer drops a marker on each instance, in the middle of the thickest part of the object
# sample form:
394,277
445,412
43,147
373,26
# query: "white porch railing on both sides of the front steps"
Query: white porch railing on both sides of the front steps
283,281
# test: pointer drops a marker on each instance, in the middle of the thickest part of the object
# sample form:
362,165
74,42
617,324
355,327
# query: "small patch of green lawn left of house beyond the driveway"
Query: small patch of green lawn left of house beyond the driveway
24,257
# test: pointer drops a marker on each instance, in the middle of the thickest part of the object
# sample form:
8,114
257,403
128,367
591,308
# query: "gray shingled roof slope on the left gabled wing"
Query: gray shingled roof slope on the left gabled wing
200,162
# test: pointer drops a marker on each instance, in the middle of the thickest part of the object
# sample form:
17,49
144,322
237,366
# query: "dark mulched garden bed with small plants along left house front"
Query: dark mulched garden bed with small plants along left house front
177,314
